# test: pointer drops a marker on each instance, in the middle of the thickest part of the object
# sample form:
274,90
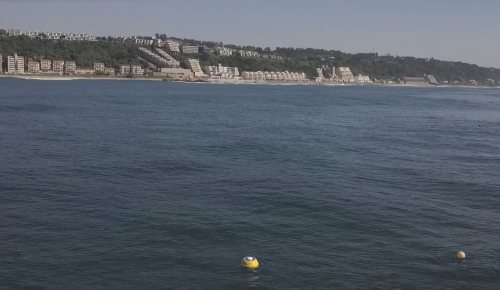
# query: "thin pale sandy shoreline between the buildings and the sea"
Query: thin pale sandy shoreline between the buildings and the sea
231,81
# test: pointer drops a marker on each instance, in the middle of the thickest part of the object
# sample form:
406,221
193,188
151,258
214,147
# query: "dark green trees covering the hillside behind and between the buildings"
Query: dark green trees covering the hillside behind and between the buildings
381,67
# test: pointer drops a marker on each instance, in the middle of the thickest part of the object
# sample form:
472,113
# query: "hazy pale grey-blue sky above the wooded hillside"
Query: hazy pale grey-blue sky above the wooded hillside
462,30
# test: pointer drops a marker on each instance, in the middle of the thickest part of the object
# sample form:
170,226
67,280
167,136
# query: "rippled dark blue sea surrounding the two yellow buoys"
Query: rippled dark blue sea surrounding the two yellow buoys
150,185
